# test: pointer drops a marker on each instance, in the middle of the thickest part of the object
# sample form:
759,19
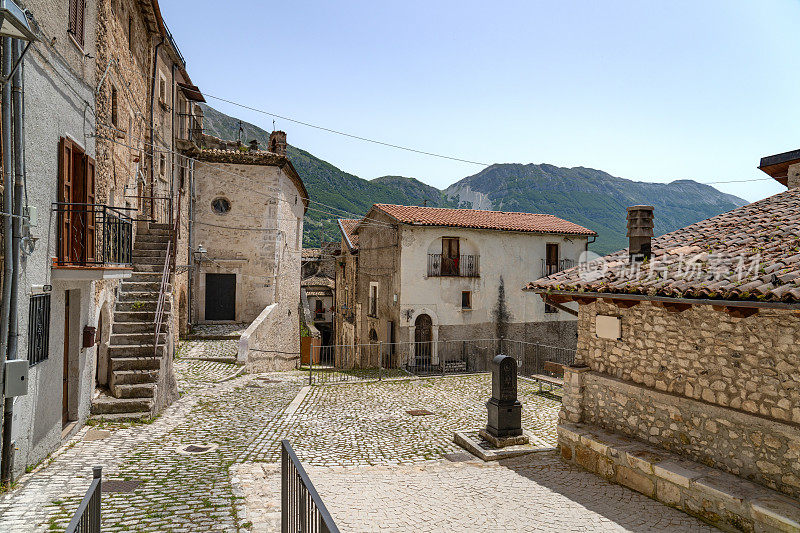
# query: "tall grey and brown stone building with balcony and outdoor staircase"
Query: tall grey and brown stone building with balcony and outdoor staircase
93,247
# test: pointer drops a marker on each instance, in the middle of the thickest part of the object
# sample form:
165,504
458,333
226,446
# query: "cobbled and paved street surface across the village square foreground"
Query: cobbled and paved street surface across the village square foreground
370,459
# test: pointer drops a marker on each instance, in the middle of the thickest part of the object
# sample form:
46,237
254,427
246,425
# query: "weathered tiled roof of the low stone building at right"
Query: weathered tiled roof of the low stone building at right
749,253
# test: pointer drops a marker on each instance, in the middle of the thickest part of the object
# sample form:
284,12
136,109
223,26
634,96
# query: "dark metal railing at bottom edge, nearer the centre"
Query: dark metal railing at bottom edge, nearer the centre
302,510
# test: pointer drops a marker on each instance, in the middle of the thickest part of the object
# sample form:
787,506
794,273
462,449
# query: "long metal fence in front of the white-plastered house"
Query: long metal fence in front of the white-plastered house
379,361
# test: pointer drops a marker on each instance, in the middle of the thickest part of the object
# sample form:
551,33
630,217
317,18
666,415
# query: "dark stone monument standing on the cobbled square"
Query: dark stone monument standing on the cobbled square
504,427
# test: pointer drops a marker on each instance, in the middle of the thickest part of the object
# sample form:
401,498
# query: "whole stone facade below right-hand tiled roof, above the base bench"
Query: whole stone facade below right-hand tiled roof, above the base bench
710,387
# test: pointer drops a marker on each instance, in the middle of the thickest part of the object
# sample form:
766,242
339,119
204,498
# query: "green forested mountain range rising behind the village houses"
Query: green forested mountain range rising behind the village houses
589,197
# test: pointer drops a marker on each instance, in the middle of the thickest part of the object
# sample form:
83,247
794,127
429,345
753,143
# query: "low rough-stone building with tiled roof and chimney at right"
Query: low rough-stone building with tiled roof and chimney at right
687,379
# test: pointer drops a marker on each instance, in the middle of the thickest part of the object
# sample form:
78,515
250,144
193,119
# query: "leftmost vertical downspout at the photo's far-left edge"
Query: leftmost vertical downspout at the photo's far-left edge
8,267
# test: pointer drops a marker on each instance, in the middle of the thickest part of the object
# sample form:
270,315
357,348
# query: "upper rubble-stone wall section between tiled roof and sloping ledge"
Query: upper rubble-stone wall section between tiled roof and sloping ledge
751,364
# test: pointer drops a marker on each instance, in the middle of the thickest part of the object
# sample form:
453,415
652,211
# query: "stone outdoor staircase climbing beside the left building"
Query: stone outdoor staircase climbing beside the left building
136,366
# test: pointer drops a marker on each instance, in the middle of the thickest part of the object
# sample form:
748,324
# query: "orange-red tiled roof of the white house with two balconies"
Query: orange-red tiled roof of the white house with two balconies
479,219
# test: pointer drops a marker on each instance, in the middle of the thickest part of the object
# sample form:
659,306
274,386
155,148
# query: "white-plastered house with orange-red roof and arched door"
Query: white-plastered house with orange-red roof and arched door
428,277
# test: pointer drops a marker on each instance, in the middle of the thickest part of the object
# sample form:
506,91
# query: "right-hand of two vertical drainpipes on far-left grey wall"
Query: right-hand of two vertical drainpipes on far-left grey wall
13,333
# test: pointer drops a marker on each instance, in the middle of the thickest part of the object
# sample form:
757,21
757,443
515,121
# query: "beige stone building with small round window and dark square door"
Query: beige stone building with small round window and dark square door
248,210
